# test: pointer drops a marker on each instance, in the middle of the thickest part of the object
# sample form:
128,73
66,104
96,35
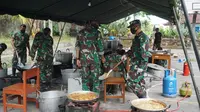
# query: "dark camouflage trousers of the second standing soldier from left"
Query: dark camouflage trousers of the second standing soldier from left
46,70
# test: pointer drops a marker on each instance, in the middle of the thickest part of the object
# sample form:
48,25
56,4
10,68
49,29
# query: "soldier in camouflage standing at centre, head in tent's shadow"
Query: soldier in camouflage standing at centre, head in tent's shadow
89,52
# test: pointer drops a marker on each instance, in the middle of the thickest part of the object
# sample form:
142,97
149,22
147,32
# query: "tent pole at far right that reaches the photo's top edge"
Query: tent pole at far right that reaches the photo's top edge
191,32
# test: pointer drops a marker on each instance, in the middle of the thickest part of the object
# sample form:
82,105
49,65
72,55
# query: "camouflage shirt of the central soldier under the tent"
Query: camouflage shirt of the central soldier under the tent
90,40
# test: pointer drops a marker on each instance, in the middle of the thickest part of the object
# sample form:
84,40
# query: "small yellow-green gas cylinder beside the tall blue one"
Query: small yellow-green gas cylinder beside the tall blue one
185,89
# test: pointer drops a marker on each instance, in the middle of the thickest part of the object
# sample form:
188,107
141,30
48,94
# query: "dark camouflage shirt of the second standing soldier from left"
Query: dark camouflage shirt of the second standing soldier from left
44,45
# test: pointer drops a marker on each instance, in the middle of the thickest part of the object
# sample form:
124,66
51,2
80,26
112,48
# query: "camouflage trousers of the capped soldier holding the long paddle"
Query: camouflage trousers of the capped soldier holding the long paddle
135,79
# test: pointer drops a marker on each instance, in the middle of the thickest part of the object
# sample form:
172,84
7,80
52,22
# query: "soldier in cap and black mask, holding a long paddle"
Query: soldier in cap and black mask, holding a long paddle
137,60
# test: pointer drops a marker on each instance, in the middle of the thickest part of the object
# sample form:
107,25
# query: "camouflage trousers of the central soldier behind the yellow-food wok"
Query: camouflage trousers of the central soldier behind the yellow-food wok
90,74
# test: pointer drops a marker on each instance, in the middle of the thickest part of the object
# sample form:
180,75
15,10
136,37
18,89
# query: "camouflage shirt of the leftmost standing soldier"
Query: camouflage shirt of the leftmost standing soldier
20,41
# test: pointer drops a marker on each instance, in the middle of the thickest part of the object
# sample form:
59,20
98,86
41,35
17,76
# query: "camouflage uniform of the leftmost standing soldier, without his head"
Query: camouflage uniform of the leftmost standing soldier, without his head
20,44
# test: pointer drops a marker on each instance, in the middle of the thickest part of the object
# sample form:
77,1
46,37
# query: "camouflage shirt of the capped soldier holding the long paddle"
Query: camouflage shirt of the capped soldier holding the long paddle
140,47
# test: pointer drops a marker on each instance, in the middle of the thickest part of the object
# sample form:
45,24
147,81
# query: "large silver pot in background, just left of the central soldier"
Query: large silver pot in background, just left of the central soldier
64,57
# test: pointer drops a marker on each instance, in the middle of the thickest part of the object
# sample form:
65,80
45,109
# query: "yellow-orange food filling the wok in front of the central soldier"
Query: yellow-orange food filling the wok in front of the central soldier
83,96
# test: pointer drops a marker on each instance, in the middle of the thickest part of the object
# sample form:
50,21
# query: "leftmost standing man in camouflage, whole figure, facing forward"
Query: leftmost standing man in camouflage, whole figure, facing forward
20,41
